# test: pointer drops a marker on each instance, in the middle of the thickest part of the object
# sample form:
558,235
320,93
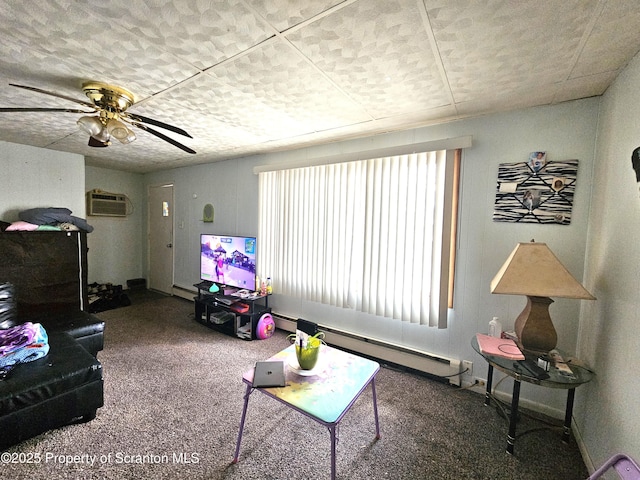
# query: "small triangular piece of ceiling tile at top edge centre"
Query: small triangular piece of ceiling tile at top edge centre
284,14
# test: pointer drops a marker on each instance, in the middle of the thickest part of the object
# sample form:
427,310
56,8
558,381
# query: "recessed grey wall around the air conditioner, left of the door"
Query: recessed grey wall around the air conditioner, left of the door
116,245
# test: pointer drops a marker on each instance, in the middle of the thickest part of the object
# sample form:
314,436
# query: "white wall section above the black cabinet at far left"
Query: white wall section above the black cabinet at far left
36,177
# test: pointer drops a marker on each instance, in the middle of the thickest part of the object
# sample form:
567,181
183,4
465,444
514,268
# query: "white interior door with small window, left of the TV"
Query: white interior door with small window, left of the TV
160,238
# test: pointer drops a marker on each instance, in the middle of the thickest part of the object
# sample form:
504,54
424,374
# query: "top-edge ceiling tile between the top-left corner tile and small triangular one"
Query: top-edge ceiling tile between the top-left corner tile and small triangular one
202,32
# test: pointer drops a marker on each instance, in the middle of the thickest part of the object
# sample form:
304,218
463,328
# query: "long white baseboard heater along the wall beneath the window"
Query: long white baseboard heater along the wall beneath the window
426,363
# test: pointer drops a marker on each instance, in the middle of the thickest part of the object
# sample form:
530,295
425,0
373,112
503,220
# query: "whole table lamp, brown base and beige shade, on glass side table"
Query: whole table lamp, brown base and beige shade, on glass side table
533,270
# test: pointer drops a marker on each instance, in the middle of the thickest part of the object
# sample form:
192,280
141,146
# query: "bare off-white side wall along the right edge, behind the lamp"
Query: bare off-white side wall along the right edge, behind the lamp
608,408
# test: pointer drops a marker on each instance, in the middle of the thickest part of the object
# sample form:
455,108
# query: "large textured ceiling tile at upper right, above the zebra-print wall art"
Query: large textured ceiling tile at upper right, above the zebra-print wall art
503,45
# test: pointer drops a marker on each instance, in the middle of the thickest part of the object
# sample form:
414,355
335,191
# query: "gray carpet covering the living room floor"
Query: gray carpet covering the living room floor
173,399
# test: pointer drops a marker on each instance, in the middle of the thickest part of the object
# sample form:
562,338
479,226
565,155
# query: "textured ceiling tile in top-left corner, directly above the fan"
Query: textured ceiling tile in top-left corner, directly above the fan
71,39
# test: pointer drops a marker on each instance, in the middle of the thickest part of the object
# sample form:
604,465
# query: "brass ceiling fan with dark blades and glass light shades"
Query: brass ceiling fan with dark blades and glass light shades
112,119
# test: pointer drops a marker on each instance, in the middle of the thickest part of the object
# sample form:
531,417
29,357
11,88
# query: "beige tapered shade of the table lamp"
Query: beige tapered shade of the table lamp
532,269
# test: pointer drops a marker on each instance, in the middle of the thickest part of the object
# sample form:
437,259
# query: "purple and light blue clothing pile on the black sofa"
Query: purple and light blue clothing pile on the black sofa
21,344
